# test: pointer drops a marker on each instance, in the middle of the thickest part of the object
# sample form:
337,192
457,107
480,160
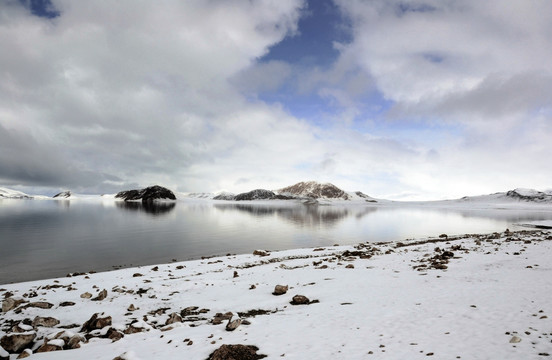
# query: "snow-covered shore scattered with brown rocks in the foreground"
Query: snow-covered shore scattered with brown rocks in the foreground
469,297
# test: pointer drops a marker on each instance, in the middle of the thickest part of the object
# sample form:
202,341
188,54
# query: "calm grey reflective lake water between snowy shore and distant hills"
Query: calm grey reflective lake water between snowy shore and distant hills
44,239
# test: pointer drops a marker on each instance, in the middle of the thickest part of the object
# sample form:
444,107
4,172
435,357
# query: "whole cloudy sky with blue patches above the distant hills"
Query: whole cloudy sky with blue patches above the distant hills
405,100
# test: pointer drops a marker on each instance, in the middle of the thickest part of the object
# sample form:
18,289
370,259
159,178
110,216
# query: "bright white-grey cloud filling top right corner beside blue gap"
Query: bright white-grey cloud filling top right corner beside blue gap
420,52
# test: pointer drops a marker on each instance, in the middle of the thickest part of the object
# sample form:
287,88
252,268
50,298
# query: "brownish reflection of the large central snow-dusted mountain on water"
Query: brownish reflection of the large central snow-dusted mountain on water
301,215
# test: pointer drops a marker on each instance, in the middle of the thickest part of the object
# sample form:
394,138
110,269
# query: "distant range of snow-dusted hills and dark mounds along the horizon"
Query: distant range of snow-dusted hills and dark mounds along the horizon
307,192
